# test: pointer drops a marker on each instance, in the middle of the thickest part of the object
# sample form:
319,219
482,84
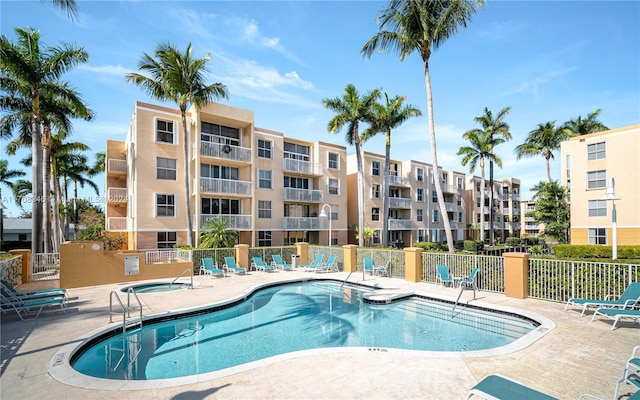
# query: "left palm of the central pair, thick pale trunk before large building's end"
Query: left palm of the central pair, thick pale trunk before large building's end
350,110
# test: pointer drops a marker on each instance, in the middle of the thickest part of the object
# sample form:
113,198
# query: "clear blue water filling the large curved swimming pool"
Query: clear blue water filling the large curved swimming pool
288,318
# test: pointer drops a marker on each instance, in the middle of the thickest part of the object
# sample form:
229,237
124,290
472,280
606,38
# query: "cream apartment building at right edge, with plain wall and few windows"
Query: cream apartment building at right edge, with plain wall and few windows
588,165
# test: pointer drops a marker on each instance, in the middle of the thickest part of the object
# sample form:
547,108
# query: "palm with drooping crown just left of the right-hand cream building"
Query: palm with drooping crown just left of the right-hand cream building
543,141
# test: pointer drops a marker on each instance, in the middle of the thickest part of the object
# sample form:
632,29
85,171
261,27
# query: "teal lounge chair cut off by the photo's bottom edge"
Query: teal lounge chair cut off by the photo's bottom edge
498,387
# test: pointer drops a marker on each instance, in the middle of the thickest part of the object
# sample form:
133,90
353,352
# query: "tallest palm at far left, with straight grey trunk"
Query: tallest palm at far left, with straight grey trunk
29,70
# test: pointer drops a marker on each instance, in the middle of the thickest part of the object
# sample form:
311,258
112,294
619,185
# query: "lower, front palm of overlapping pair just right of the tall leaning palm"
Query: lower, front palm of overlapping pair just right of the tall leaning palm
480,148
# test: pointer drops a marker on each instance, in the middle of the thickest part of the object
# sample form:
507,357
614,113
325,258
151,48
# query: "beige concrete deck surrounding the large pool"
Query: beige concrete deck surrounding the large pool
577,356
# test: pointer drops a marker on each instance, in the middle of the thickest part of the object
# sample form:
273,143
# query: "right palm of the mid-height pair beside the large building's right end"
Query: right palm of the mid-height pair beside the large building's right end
389,116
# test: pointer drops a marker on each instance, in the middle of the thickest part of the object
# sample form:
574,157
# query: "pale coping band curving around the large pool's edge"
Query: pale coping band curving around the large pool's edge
59,365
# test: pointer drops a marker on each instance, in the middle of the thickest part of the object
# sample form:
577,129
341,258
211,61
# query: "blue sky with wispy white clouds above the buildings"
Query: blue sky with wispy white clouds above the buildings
547,60
